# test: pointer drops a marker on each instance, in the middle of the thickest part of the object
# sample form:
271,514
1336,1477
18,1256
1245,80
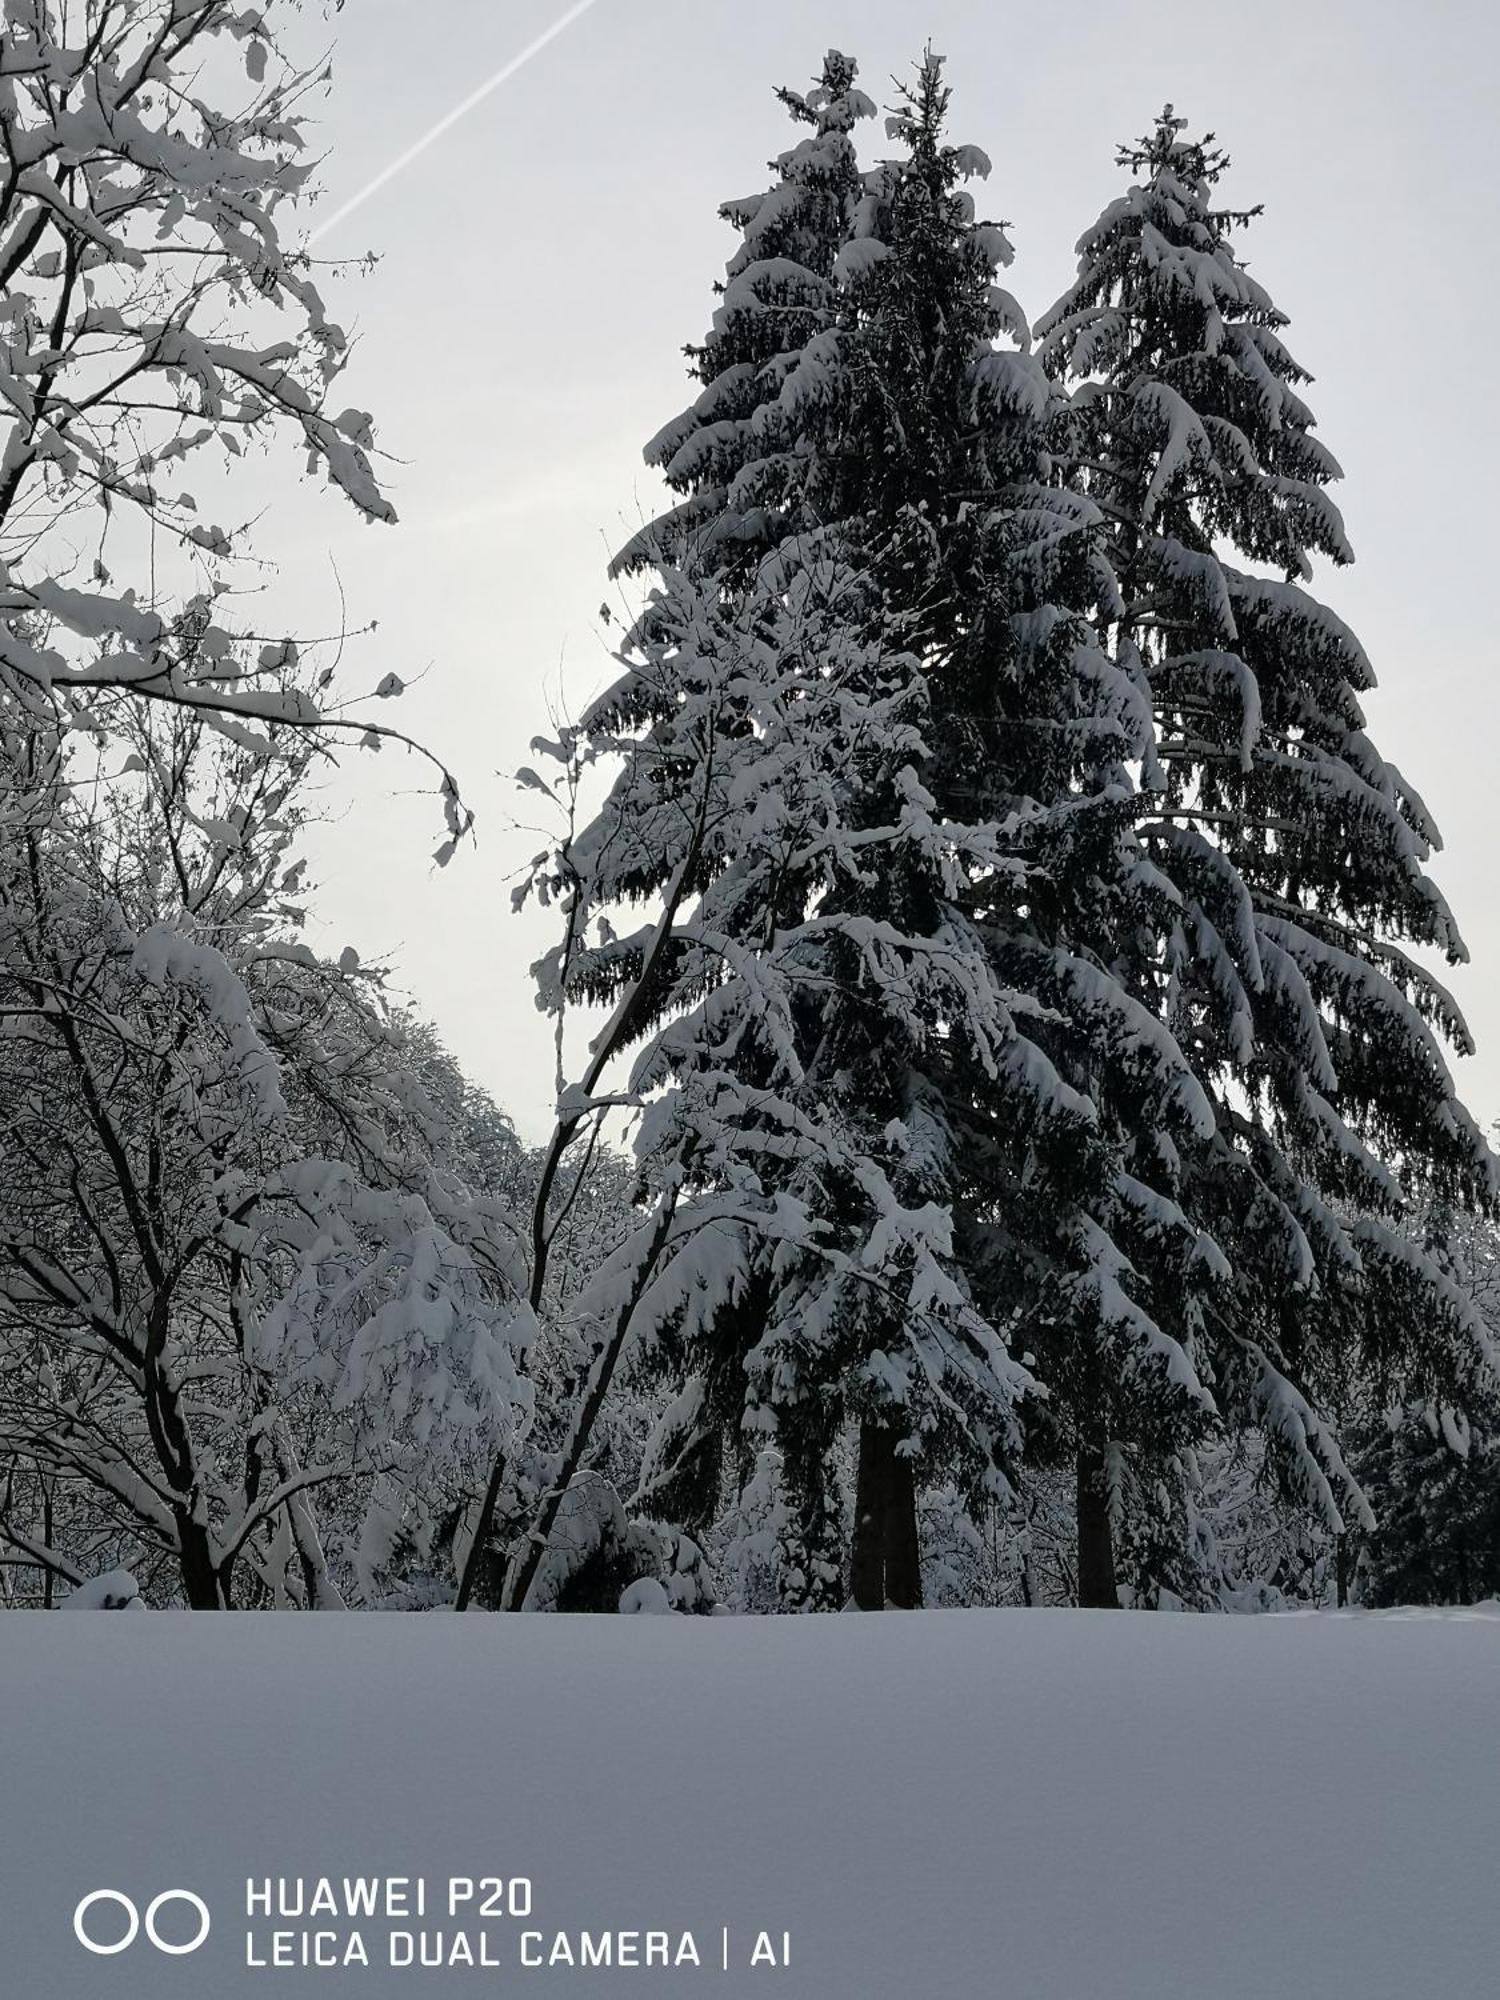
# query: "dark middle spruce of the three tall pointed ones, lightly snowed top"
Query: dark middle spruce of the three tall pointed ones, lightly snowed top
903,425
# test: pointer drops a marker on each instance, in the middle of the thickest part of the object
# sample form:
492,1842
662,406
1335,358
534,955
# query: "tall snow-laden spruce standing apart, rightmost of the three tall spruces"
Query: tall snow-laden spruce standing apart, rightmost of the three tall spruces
1297,853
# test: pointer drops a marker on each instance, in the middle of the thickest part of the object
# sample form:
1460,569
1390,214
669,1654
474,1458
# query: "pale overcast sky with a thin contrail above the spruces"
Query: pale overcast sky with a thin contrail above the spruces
545,263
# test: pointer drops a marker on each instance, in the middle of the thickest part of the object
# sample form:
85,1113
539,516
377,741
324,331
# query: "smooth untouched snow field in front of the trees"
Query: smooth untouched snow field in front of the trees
935,1807
